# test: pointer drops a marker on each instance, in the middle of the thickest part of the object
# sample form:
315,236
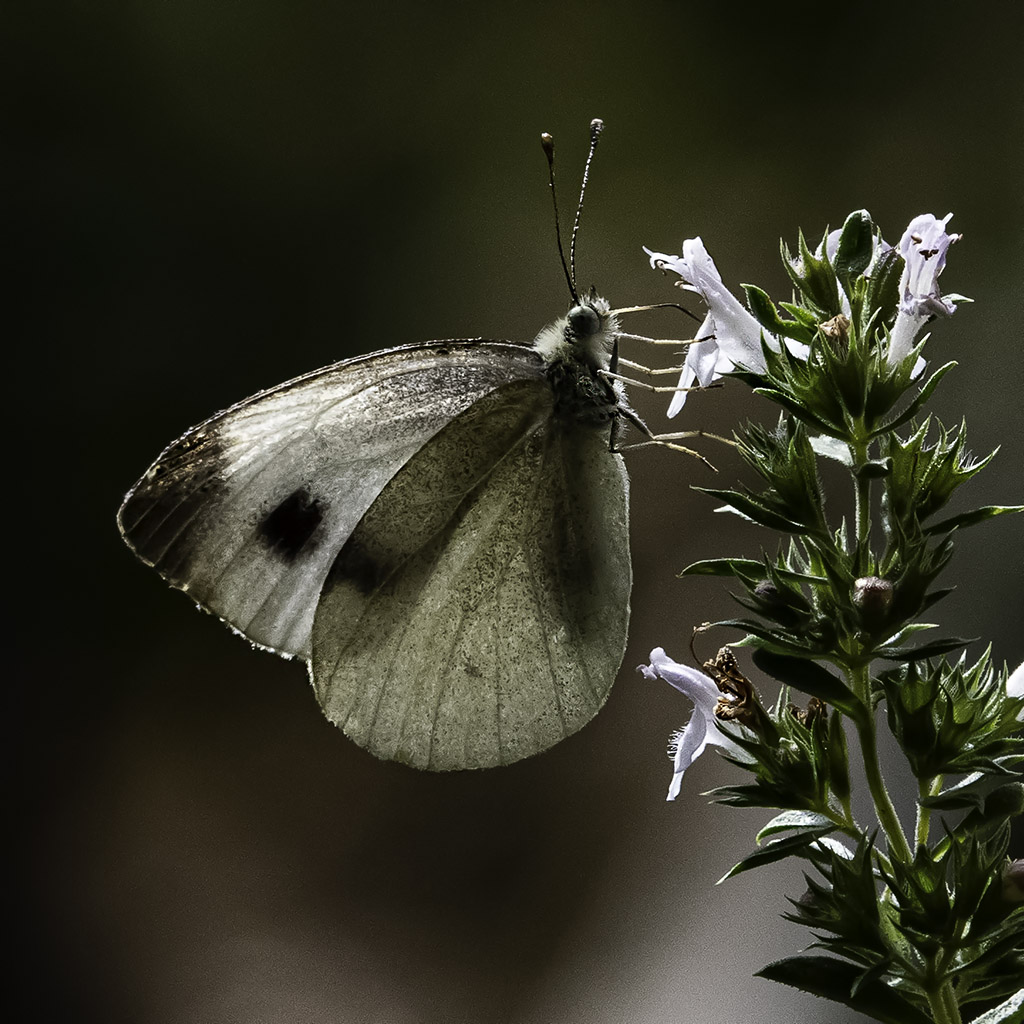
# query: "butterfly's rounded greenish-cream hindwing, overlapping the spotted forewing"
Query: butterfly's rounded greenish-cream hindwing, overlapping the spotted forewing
479,612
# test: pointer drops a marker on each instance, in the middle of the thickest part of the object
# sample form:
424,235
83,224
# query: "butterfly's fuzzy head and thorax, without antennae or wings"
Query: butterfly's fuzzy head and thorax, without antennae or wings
578,351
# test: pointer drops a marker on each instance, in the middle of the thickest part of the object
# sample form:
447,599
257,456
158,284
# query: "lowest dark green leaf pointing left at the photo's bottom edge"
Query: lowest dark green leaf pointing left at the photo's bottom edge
835,979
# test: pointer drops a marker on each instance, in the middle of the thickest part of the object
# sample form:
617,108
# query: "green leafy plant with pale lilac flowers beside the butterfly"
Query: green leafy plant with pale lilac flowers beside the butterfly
909,929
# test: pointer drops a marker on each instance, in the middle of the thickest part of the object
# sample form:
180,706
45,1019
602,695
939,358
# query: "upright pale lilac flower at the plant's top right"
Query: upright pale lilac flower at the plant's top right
924,248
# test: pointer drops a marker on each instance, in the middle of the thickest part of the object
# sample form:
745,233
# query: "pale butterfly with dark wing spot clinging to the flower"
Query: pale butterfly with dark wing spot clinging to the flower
440,531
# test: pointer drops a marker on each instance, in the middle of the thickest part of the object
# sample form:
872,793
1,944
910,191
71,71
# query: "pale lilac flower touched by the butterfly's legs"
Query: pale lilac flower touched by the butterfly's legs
732,335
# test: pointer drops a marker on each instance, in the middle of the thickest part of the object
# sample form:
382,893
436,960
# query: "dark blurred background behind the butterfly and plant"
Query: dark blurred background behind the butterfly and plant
206,199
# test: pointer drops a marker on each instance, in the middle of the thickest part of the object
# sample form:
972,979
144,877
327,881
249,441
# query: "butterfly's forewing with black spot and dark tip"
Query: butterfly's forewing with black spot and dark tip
248,511
